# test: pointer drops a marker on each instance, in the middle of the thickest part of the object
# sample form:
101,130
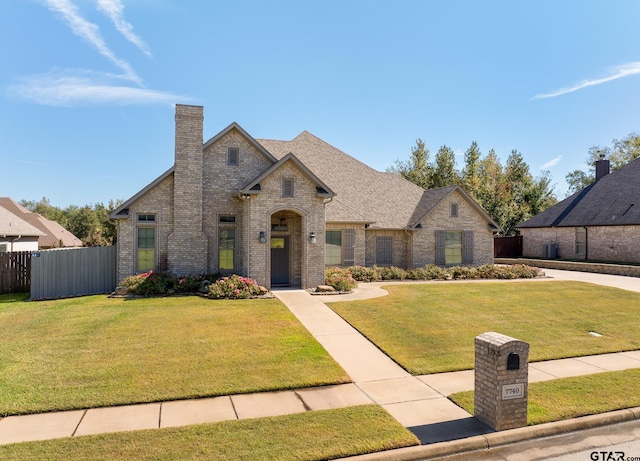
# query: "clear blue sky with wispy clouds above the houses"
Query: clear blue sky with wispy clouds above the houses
88,87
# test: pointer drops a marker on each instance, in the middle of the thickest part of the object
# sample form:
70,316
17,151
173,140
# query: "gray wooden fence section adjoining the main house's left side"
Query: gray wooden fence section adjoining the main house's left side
66,272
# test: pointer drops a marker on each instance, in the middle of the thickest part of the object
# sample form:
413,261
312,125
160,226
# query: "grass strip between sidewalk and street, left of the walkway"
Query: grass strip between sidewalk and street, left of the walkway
310,436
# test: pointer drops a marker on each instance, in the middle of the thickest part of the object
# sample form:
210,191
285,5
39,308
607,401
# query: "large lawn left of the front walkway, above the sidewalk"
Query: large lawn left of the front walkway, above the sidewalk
95,351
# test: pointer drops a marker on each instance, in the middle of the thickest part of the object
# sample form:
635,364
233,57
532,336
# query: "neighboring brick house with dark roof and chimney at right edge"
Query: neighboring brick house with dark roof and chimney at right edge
600,223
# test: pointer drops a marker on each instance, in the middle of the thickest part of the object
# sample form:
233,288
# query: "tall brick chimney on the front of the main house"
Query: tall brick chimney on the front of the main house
187,252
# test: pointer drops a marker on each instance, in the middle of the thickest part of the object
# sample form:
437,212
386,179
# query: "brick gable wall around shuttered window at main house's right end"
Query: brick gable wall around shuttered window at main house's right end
424,241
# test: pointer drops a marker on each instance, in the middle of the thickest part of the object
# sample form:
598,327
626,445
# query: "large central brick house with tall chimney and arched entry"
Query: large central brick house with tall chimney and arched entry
280,211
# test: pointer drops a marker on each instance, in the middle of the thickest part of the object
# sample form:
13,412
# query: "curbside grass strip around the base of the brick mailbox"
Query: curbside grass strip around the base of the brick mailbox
568,398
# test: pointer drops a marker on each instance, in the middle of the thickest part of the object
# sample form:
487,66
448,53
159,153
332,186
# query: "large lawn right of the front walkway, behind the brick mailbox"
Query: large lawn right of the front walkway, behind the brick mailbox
430,328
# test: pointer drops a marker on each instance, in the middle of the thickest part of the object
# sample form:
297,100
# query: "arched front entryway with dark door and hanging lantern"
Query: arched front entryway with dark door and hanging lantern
286,249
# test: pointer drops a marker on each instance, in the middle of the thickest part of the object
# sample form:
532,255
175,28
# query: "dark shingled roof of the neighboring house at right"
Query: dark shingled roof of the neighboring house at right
613,200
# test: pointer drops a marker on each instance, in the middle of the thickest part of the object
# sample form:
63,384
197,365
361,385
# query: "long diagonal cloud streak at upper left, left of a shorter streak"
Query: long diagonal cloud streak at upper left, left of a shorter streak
91,33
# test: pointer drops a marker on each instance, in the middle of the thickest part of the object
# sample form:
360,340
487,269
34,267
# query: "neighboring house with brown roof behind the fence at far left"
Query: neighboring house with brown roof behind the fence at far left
53,235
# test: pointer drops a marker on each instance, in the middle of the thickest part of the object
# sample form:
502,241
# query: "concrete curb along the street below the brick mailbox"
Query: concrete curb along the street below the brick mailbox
498,439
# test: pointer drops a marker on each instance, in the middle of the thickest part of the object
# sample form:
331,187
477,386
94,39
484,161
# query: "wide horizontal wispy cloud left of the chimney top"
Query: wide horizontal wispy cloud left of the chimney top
74,87
